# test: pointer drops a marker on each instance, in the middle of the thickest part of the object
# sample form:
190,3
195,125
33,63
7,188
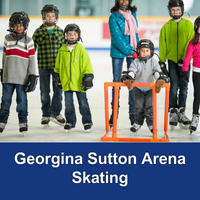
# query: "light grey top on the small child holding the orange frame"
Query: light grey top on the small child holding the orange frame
144,71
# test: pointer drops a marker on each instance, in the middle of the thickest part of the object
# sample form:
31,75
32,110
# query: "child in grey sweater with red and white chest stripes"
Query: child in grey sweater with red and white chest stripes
18,70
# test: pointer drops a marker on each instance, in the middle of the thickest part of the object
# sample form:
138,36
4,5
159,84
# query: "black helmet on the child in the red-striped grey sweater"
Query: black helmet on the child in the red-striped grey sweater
19,18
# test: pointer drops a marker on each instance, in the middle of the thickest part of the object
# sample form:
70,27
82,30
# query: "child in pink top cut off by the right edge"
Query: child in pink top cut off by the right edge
193,50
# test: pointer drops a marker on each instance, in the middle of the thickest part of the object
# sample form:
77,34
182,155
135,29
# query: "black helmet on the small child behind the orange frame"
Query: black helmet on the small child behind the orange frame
145,43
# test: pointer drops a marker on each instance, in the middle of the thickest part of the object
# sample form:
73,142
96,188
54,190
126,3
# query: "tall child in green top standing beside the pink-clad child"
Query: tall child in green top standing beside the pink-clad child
174,38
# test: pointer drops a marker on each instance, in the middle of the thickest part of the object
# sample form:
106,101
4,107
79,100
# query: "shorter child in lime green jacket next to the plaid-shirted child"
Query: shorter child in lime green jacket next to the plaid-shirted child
74,73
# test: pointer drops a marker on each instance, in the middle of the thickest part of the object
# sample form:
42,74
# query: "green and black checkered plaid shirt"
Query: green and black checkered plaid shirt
48,46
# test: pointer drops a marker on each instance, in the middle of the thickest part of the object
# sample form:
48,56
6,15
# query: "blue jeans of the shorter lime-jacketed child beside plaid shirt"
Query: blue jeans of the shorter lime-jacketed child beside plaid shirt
84,108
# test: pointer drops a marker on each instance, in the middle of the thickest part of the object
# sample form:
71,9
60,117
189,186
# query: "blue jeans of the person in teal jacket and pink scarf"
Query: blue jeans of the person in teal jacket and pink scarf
117,71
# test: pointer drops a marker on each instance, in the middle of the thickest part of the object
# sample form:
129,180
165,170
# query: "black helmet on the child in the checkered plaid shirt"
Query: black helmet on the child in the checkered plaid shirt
50,8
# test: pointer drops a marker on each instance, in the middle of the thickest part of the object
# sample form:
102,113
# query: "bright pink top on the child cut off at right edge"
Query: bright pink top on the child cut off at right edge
195,52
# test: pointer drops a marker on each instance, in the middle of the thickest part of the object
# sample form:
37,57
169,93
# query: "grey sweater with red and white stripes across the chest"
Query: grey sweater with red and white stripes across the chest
18,60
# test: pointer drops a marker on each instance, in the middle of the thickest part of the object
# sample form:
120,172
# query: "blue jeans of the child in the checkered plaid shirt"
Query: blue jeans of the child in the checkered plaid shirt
49,108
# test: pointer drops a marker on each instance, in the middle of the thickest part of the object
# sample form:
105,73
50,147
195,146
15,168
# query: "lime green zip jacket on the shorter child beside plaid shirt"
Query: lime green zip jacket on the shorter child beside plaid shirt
72,66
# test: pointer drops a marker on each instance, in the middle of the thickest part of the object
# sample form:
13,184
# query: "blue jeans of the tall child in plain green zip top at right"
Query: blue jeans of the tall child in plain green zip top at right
176,100
